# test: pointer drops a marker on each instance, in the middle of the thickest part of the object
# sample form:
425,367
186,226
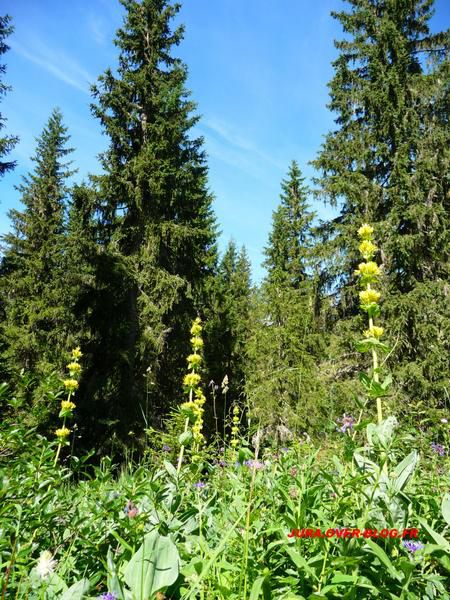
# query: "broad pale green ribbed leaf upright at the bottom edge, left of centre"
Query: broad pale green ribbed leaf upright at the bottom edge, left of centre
155,566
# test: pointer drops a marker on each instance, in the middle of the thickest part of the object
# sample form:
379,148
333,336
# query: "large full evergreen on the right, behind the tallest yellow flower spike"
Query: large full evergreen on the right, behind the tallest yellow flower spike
386,164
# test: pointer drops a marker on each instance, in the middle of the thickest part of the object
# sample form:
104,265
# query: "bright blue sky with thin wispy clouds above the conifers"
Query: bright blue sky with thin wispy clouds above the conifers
258,70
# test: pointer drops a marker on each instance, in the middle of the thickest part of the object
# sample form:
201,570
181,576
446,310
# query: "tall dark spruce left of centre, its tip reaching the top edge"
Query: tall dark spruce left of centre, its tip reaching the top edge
156,200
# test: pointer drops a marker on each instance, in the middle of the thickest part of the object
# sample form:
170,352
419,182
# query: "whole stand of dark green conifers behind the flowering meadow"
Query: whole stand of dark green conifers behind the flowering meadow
121,264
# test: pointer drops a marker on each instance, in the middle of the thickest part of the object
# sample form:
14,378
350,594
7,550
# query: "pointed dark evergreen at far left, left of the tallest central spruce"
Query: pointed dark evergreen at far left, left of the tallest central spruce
32,265
